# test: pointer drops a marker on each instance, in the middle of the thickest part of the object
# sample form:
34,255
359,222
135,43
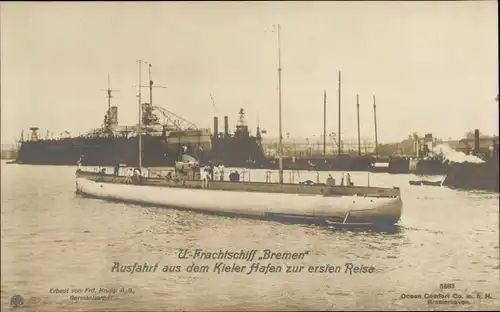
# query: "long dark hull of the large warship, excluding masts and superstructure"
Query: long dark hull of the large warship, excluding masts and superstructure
156,151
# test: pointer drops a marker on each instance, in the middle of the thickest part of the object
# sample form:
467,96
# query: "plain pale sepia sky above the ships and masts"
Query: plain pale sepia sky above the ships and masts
433,66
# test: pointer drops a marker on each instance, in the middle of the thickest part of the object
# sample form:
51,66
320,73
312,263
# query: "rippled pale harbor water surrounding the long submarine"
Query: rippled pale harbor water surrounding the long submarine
54,239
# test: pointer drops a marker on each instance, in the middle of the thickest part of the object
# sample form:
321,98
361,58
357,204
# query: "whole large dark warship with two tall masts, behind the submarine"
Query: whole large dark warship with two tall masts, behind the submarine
165,137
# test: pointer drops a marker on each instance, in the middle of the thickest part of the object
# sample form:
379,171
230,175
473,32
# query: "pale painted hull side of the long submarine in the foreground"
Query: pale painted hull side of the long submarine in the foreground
299,207
